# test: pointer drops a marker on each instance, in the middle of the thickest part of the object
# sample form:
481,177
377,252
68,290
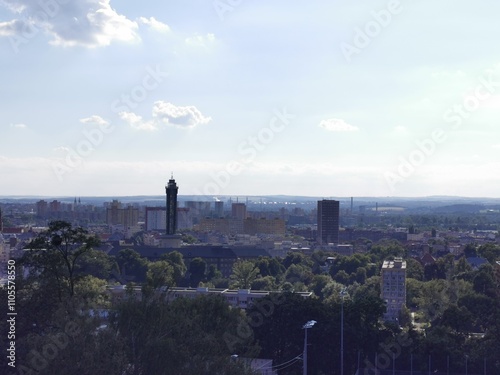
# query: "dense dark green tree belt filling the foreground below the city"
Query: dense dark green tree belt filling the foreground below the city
68,325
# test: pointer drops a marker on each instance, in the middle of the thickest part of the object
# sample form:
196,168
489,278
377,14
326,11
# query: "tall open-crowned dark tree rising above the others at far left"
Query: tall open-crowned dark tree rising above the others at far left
55,254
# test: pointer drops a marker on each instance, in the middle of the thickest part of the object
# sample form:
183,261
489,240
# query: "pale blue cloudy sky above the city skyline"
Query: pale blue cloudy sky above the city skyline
237,97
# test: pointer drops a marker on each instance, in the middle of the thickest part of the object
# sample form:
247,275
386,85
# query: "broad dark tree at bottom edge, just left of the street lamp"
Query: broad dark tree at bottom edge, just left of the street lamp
182,337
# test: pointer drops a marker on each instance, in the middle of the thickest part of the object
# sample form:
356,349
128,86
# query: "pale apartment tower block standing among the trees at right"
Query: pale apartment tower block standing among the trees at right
393,287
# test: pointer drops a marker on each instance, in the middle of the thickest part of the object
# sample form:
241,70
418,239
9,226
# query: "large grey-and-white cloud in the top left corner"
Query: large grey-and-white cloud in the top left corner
89,23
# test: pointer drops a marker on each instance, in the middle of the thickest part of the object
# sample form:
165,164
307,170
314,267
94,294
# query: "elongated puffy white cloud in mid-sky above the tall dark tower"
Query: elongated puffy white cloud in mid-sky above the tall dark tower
165,113
